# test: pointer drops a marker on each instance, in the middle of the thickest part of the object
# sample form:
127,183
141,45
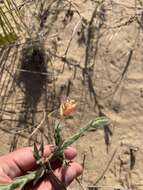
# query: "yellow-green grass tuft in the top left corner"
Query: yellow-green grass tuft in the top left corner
10,23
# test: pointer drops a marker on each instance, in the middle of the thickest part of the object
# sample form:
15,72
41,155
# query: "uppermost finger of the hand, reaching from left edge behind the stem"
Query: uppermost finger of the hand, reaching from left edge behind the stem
18,162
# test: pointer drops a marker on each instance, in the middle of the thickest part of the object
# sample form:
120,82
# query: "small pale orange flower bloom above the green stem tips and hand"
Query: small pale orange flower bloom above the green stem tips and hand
68,107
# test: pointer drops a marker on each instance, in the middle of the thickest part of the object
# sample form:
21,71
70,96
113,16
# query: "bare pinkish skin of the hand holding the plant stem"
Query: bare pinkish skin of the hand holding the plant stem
20,161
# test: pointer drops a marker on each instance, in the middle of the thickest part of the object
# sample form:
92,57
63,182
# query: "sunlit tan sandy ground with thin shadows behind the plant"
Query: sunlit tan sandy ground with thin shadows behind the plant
111,46
